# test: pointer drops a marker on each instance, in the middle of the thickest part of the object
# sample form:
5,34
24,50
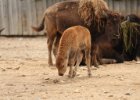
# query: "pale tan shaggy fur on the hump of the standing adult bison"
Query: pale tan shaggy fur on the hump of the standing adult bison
91,10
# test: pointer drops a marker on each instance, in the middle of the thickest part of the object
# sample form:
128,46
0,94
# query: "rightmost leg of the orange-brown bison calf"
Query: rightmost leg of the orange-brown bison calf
88,59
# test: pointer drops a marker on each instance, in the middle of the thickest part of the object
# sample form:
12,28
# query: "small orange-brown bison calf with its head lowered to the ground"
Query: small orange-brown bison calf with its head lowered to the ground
73,41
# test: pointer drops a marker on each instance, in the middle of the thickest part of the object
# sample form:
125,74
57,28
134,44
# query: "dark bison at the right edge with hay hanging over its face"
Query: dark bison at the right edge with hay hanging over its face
131,37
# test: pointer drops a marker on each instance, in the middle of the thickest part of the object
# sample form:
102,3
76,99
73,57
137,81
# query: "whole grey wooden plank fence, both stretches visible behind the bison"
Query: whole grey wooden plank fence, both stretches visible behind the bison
17,16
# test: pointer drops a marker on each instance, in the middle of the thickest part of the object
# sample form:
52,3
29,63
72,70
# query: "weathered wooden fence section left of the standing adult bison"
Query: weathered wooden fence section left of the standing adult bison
17,16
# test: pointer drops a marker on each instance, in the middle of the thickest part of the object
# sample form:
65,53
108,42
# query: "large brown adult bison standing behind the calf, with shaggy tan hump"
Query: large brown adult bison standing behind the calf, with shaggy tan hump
93,14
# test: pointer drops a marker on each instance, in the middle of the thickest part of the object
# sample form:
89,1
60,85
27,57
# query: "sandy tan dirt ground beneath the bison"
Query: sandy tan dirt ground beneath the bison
25,75
